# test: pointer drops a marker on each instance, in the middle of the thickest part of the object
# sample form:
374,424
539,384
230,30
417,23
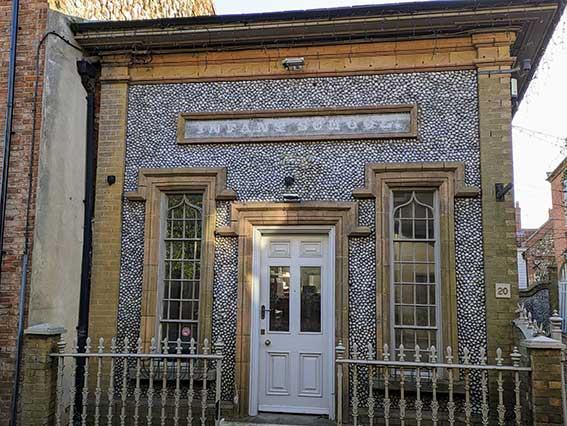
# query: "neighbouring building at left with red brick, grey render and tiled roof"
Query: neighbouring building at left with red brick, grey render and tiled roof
56,200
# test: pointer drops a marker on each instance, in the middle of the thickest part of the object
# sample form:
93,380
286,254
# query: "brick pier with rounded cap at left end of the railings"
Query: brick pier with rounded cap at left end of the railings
39,390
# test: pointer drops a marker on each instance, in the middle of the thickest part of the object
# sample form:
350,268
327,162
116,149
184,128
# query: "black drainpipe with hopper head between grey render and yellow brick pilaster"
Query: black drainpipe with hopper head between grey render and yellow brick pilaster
88,70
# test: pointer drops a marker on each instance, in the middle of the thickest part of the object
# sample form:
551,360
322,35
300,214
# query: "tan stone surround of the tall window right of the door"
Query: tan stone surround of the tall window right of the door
447,179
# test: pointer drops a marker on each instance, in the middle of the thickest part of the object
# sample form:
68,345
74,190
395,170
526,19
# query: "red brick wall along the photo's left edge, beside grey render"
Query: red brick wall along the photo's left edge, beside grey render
32,22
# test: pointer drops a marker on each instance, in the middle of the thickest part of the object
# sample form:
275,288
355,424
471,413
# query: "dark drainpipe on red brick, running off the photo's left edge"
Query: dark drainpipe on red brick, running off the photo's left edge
8,126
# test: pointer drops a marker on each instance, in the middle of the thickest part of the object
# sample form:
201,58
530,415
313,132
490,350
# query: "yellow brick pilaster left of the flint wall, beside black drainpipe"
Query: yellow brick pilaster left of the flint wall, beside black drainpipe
107,227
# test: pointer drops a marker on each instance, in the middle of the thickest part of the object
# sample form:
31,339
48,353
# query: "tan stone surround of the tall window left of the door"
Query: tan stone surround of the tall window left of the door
152,185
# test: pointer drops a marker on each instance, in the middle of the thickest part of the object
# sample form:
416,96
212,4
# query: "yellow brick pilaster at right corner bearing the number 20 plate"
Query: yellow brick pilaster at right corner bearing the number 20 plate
495,115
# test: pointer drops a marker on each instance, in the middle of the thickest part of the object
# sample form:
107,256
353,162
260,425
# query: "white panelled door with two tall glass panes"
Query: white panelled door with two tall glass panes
295,315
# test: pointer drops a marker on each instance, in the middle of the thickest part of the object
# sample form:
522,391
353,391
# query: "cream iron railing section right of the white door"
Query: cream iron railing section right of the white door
424,390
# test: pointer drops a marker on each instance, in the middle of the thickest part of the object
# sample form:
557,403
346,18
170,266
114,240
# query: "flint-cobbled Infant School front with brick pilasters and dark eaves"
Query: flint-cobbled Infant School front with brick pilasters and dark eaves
284,191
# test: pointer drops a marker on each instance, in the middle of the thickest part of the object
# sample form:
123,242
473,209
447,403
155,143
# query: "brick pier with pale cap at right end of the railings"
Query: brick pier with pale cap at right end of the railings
547,394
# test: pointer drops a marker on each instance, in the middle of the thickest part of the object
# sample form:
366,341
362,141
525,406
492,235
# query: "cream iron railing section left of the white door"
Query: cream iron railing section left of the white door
126,386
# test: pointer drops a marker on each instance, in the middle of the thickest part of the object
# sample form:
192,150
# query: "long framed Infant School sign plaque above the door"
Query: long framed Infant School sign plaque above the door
299,125
